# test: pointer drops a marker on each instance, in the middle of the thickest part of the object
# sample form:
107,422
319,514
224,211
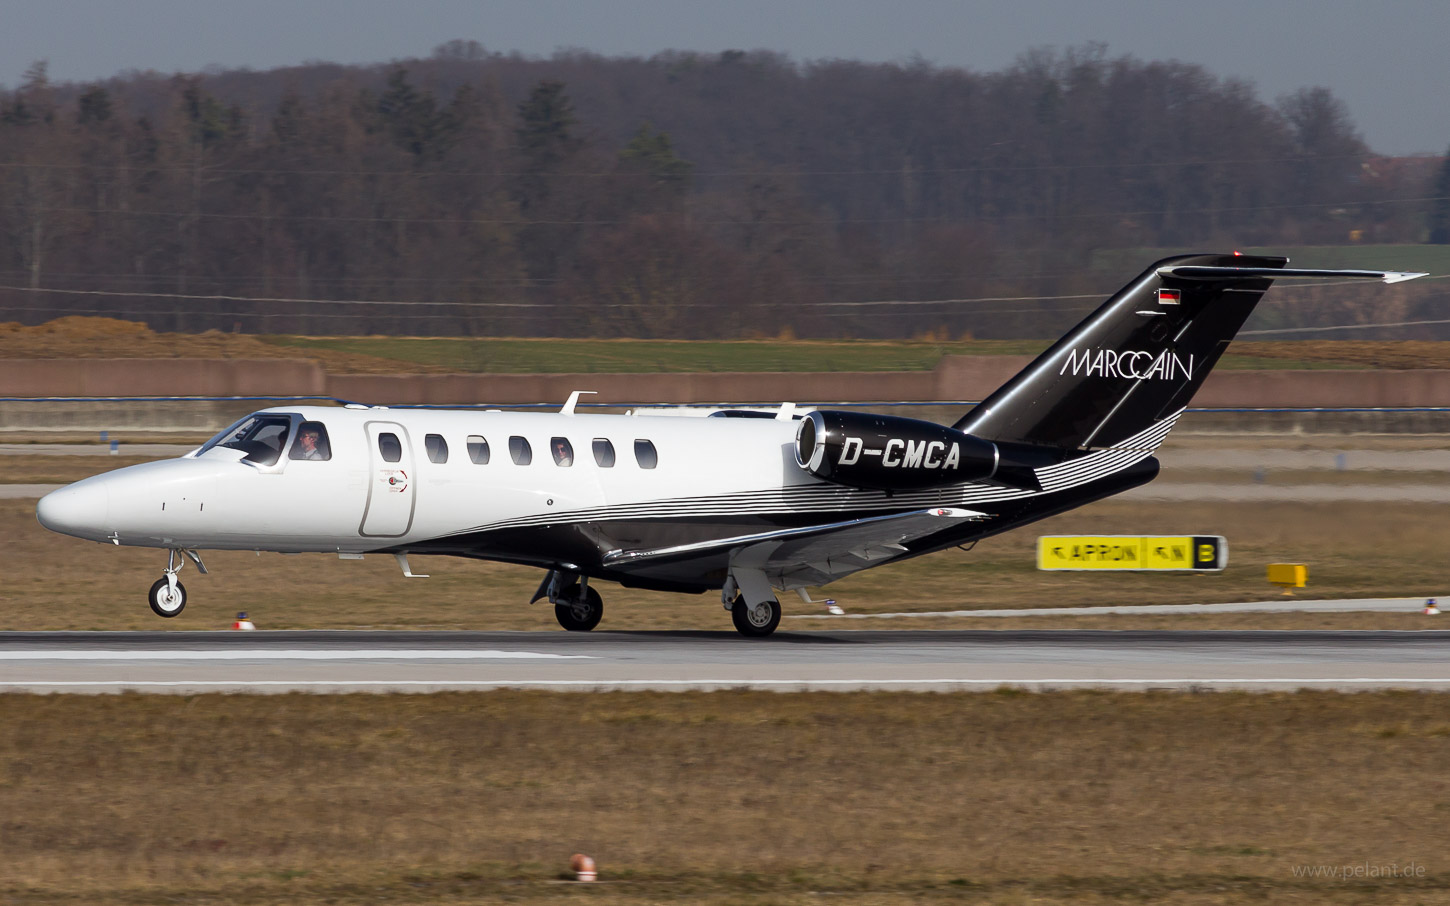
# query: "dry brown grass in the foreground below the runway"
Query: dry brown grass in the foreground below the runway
745,798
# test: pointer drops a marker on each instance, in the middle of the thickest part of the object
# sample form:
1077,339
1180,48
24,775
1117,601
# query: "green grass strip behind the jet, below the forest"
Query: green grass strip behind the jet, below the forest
523,356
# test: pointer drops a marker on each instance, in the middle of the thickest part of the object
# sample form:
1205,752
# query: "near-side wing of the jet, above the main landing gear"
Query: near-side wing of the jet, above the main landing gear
810,556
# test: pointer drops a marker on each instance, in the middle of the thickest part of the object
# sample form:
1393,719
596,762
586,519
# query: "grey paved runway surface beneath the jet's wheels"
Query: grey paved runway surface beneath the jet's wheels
787,662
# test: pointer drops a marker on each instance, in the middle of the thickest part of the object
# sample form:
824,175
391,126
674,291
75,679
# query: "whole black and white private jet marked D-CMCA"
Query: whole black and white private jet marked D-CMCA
743,507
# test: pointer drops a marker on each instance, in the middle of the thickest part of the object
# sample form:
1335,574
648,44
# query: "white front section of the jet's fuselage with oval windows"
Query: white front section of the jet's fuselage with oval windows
356,502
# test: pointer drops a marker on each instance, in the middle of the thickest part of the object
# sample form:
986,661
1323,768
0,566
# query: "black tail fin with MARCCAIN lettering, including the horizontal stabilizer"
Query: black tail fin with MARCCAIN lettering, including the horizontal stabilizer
1139,359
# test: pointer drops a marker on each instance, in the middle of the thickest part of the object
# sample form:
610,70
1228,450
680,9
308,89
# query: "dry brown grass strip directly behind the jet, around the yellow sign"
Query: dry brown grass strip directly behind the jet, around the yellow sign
1354,550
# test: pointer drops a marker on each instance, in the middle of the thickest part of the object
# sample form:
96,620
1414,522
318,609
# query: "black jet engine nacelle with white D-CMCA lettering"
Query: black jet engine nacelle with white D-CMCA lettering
891,453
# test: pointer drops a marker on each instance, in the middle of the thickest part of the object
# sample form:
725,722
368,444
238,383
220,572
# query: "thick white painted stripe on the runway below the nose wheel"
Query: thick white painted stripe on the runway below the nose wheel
285,654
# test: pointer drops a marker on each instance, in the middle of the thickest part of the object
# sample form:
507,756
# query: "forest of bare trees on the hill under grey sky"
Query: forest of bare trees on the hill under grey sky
684,195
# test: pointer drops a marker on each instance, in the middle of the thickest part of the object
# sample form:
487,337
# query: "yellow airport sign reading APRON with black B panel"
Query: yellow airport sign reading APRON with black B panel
1132,553
